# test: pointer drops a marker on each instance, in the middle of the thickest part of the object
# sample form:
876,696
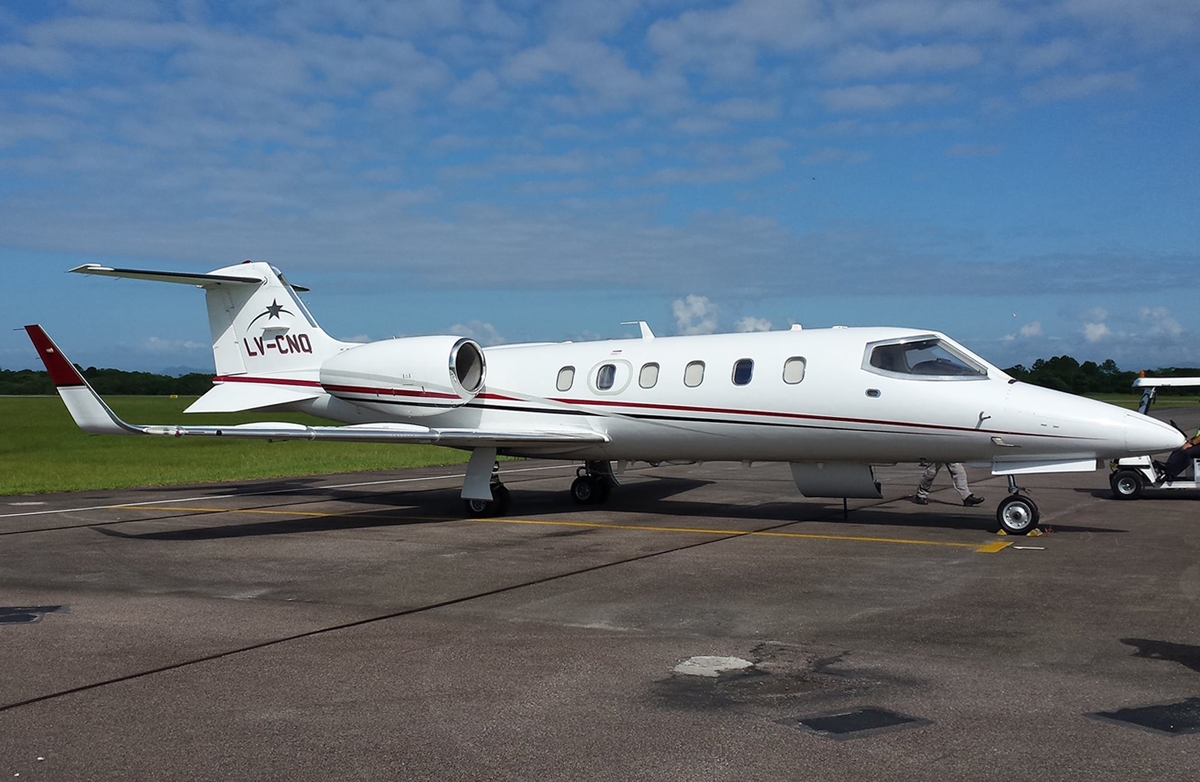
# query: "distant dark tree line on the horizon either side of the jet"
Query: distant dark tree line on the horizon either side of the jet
1061,374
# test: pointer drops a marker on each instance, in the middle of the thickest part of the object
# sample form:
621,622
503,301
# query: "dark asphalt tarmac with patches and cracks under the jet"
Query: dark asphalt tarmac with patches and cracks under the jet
361,628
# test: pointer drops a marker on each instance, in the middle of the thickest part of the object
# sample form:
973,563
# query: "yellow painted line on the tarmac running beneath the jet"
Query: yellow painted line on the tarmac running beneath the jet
988,549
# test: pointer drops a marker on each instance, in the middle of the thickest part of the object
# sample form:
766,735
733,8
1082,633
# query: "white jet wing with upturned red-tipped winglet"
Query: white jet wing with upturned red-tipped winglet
93,416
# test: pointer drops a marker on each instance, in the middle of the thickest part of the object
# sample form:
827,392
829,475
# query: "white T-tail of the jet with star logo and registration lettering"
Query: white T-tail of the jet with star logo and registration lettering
267,347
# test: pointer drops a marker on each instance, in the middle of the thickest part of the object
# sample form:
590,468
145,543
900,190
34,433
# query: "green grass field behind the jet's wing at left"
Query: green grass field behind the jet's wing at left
41,450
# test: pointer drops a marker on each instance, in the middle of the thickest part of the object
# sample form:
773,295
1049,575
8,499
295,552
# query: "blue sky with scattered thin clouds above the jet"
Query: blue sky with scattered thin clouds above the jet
1021,175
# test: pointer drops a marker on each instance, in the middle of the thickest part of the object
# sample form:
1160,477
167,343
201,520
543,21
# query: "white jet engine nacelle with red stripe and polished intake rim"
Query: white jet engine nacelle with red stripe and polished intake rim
411,376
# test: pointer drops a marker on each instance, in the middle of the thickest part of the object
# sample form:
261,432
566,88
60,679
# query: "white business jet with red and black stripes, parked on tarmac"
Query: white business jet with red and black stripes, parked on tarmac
831,402
